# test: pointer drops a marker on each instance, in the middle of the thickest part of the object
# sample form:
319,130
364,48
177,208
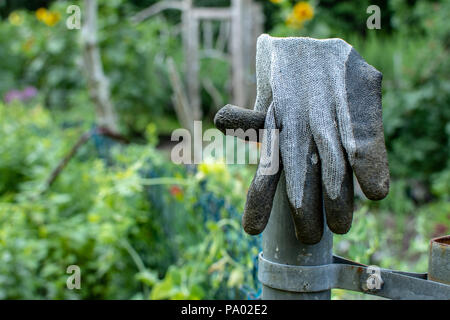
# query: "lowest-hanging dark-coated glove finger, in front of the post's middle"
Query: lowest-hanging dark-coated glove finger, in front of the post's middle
308,219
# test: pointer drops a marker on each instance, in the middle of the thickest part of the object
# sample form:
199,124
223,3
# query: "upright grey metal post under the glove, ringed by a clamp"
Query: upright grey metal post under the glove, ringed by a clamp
281,246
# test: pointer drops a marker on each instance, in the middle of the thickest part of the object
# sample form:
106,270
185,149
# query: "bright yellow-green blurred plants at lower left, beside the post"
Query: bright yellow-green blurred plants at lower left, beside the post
133,233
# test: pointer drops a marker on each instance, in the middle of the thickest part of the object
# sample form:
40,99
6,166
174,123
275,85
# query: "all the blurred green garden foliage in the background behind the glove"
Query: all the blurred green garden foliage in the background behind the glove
140,227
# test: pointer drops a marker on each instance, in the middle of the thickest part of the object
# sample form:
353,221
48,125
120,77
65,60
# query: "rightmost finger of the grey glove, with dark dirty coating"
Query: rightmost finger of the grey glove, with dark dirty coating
362,127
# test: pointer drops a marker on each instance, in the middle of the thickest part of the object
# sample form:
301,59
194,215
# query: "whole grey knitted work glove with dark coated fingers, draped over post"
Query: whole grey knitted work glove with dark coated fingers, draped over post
325,100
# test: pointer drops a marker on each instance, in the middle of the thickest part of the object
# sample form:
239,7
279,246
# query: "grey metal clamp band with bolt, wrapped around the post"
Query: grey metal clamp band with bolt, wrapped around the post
350,275
